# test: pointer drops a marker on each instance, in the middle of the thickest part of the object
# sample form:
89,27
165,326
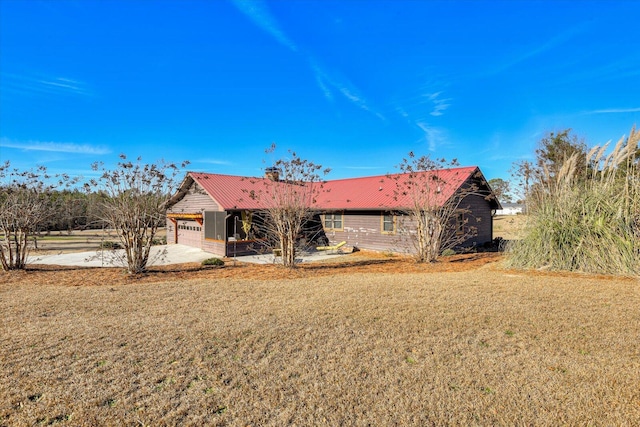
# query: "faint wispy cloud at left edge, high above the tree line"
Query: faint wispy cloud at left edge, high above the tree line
25,83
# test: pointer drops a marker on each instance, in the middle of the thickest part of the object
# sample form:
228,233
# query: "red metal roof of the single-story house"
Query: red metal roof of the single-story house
374,192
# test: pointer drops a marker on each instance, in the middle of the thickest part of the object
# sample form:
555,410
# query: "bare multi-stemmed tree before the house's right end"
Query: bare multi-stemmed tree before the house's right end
434,217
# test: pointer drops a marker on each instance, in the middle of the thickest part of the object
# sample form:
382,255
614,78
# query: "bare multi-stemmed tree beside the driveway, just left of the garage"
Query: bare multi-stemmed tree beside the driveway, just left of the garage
133,204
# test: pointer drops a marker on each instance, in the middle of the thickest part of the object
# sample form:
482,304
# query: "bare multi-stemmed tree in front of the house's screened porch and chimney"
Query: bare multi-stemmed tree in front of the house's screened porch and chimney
288,201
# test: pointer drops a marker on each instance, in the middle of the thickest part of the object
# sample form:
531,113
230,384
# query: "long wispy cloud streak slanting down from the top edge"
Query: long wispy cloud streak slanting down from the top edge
329,83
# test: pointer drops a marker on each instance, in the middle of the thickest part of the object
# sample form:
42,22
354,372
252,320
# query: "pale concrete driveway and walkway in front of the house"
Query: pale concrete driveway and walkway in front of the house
160,255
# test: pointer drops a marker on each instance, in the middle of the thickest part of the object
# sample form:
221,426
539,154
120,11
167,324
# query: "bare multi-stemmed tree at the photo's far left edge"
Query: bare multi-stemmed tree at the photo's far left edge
25,207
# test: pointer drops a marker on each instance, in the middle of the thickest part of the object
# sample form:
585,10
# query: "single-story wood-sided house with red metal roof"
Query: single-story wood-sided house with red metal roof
215,212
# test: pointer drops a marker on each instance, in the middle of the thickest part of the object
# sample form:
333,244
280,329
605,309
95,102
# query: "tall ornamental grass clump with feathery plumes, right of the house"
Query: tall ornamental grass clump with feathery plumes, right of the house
586,222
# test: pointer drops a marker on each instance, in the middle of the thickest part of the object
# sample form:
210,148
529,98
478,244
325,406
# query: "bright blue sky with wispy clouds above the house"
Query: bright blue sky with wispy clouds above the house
353,85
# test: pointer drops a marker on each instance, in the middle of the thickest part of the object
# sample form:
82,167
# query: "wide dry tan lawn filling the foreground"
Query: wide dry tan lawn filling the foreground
379,341
